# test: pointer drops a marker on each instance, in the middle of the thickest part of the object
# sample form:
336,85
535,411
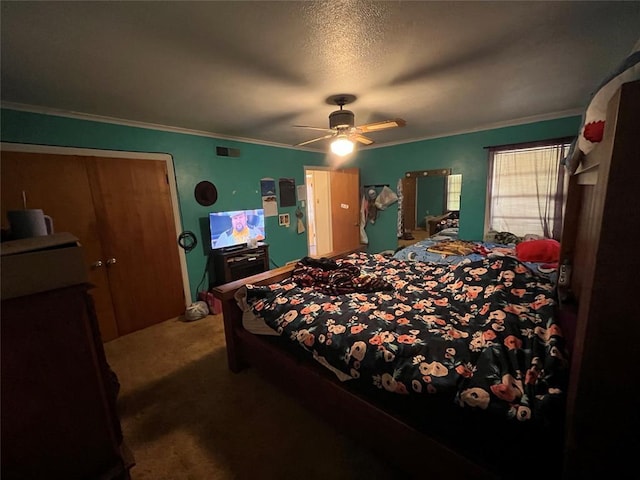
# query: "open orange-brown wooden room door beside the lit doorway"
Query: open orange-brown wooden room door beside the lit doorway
345,209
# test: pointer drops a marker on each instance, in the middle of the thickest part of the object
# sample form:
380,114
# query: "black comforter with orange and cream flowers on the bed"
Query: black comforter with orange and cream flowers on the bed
481,333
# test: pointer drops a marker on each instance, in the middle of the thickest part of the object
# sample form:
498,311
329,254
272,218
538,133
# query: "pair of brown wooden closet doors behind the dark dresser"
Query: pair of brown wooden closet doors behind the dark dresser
120,209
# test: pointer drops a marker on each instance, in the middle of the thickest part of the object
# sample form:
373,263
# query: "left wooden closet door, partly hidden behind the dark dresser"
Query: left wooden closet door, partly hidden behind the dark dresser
58,184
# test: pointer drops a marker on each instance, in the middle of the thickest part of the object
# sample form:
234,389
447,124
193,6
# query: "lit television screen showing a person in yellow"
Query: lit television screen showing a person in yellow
236,227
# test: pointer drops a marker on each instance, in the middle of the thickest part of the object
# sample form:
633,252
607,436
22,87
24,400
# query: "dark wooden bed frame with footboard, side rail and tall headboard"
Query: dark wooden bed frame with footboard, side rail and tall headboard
602,410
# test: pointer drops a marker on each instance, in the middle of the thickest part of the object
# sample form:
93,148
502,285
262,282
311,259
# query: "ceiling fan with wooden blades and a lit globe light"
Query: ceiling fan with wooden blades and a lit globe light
342,127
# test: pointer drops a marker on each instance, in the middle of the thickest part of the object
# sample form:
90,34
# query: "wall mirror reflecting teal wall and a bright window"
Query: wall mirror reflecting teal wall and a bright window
429,196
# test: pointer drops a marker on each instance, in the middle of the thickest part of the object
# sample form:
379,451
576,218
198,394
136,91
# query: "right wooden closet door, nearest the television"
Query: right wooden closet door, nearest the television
132,200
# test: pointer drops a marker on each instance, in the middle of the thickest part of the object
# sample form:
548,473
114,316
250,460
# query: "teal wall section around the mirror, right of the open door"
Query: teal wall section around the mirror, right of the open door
465,154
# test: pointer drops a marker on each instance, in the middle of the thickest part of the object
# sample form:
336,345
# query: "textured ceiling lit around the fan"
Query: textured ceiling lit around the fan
252,70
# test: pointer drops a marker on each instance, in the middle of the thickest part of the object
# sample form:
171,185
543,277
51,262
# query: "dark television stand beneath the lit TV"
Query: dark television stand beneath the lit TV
229,265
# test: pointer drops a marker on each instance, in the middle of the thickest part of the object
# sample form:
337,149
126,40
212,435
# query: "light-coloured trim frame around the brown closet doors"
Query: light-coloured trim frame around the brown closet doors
90,152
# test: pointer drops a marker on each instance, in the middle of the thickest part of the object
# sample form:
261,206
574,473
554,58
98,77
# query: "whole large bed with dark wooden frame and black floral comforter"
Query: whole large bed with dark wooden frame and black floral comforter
577,419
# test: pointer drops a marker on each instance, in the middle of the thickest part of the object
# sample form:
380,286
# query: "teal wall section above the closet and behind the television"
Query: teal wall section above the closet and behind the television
194,157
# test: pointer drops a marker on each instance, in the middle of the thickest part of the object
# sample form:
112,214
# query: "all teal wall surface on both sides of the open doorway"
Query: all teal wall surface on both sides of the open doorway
238,178
